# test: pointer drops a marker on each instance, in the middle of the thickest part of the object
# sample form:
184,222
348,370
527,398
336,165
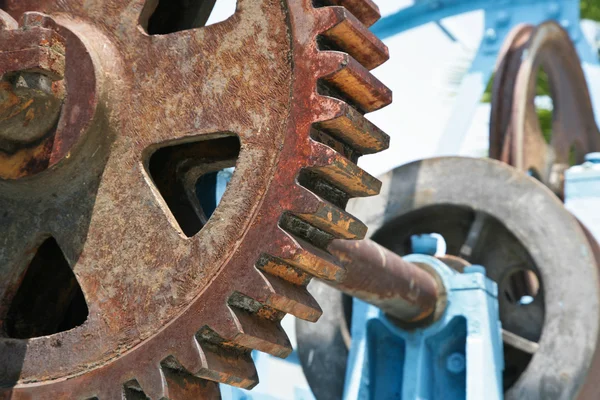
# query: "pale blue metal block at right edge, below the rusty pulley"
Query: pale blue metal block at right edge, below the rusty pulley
582,193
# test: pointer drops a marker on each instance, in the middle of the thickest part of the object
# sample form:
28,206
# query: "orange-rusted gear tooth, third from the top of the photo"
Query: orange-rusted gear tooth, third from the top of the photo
347,79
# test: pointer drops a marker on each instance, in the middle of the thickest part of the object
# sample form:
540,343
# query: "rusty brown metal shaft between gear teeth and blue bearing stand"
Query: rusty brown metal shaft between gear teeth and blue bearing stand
382,278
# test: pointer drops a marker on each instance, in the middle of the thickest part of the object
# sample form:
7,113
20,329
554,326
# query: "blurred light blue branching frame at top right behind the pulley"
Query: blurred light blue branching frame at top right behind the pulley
500,17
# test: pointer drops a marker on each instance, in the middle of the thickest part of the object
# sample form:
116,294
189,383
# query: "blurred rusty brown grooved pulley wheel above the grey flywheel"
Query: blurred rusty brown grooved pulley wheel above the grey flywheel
515,133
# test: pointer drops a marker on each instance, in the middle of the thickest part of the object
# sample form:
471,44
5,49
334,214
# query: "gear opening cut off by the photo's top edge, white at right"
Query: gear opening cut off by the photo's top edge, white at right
178,15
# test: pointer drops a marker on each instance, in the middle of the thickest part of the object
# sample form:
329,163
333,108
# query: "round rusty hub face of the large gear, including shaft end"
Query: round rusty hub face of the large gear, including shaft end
39,126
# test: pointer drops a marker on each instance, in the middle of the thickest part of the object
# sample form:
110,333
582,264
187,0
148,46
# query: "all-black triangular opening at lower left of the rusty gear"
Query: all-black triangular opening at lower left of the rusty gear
49,299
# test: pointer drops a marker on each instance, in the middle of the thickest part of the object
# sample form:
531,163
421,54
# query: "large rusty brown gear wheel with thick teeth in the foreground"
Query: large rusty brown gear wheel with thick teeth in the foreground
175,299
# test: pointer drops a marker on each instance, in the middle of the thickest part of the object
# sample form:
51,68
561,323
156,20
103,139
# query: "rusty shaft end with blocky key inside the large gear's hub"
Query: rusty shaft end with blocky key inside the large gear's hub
32,66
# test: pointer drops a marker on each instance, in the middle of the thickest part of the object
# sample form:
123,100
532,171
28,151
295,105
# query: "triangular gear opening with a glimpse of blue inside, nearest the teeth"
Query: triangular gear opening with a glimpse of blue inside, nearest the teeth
192,177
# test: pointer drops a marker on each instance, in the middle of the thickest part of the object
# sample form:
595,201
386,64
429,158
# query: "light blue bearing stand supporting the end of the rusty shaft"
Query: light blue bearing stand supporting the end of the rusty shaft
458,357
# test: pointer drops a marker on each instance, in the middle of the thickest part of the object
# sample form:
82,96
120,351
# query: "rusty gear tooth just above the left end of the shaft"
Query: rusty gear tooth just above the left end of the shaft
328,217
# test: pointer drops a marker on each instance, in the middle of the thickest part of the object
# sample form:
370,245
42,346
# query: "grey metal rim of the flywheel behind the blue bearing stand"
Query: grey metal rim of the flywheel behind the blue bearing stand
420,184
